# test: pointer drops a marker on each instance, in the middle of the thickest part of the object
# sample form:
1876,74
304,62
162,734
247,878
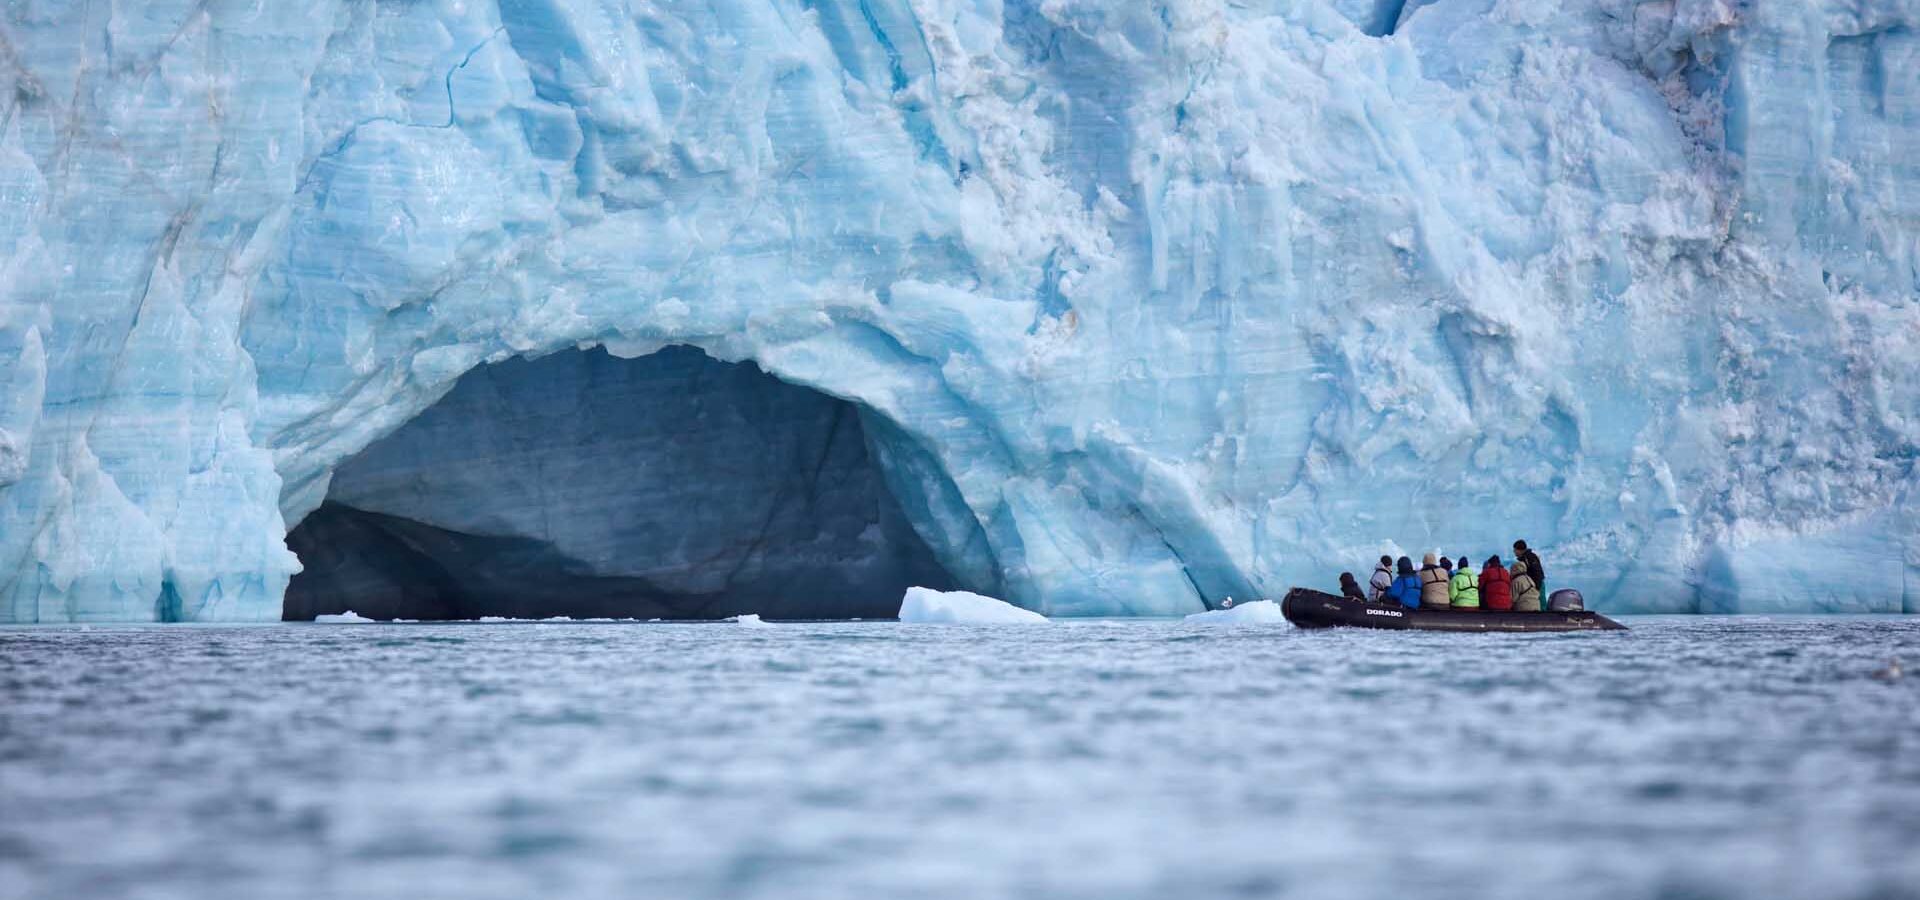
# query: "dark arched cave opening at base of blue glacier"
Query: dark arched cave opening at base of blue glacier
585,485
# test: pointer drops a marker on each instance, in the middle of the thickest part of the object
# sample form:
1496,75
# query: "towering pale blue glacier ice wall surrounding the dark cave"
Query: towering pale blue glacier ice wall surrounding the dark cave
1141,304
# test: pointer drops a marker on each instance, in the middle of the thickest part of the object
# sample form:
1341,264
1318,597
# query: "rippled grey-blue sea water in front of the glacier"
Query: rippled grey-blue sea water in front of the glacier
1687,759
